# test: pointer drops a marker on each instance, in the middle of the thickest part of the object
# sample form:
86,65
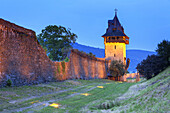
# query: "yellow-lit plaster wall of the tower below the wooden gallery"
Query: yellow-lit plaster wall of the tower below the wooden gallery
115,51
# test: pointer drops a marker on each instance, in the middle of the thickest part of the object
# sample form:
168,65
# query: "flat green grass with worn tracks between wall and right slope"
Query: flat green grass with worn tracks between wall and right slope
67,94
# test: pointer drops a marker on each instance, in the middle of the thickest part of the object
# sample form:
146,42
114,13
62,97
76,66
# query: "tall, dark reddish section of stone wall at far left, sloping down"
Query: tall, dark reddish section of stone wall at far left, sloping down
22,59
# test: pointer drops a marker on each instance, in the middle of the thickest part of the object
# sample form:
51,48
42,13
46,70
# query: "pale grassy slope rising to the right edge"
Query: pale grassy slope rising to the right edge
150,96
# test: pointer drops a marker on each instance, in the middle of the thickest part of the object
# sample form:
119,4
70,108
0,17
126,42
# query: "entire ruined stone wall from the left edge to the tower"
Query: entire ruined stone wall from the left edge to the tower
24,61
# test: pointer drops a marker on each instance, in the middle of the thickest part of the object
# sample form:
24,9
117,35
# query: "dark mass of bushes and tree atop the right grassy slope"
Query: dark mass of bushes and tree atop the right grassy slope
154,64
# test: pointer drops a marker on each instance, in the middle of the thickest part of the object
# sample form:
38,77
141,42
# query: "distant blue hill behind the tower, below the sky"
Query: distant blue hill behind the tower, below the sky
135,56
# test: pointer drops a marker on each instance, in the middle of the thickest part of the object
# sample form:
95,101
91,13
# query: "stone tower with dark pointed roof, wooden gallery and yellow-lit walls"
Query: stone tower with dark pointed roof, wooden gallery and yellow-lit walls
115,40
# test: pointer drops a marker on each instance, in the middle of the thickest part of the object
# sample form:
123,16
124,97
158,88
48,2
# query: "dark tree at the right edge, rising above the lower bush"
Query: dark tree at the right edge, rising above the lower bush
163,50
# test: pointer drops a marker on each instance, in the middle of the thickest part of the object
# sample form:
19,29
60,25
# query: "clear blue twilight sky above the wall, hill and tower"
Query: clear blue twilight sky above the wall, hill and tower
146,22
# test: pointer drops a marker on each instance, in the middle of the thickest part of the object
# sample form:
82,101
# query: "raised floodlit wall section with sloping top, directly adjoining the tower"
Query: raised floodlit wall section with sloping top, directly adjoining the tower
85,67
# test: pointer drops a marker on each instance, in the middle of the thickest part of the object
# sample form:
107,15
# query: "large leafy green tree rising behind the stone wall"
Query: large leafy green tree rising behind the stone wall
57,40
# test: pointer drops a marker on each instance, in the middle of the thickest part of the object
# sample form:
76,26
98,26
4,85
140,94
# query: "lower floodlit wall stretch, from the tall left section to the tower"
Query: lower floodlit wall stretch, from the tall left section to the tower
81,66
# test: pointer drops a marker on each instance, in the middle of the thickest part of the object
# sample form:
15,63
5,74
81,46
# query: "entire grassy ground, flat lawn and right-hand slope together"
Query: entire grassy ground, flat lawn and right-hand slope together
82,96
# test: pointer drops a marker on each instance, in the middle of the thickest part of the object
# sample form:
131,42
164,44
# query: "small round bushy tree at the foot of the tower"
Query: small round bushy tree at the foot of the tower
117,68
